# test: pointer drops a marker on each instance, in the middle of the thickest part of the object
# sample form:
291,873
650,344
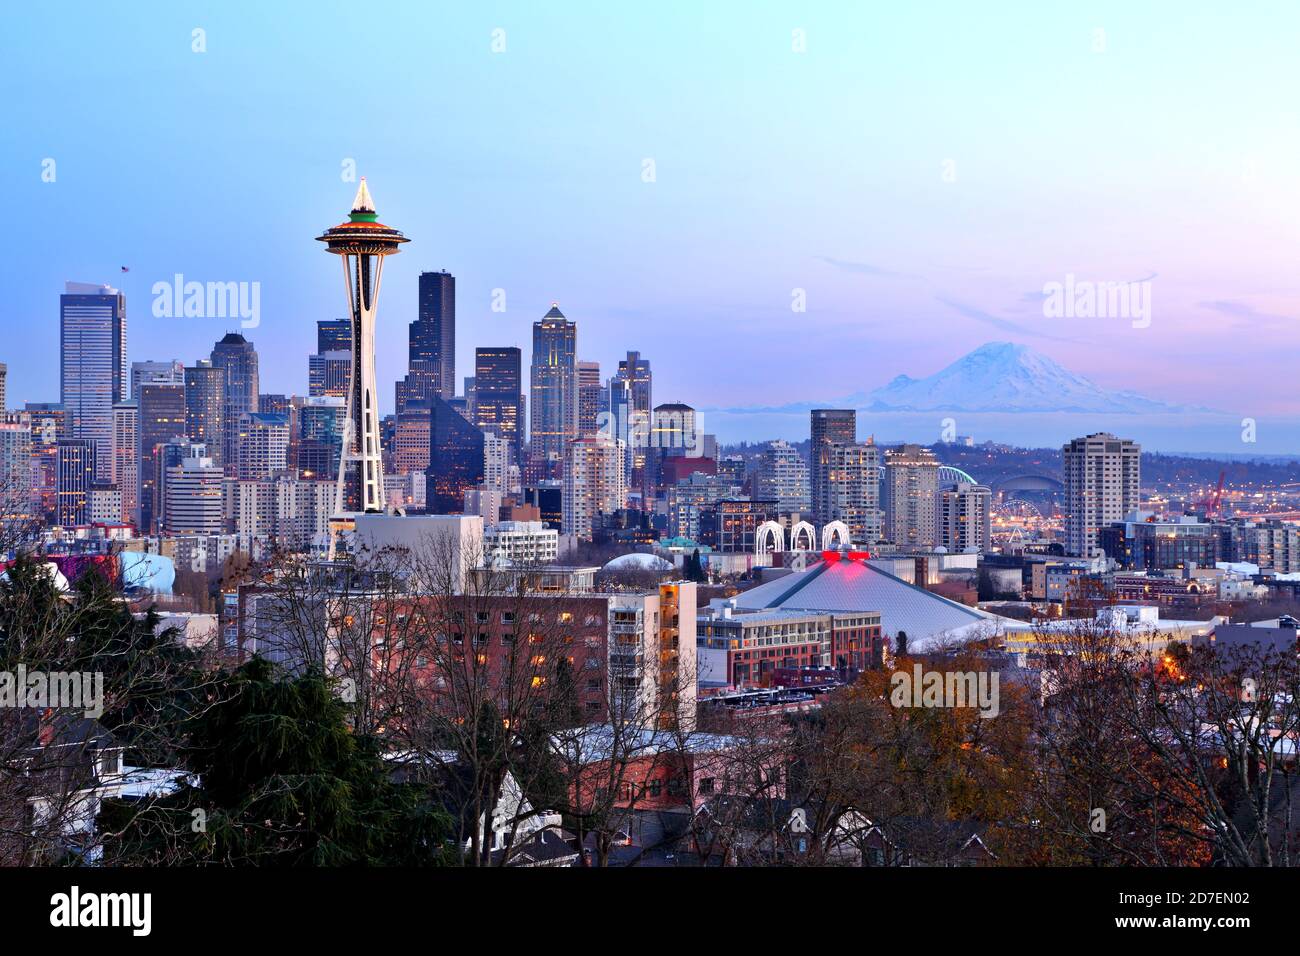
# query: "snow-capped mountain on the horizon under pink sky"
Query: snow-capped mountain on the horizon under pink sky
1003,377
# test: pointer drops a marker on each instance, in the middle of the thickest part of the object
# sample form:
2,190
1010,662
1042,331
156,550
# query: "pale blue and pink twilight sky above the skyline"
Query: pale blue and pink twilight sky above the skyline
912,174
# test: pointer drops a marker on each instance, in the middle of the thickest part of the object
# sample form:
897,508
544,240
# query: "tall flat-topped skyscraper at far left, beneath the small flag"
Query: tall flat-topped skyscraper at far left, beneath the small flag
93,364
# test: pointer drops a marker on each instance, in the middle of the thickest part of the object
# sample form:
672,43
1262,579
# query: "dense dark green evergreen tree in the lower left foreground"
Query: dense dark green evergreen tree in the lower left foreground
279,780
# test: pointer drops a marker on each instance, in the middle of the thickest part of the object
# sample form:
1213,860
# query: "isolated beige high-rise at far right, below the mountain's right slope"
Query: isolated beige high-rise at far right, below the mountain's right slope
1103,478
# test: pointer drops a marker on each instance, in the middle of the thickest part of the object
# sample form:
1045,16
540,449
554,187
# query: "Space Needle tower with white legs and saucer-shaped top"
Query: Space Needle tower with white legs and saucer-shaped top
361,244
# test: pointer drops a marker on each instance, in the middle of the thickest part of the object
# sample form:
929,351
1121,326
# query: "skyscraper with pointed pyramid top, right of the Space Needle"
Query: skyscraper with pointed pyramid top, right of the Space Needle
553,393
